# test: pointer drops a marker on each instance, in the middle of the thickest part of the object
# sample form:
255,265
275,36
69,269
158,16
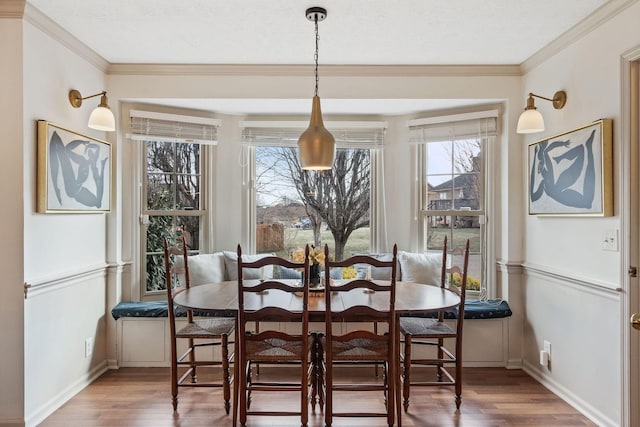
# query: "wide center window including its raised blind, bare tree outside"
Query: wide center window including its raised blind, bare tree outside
292,207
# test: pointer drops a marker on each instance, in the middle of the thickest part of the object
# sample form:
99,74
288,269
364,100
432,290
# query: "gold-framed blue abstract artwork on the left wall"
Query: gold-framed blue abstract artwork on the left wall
74,171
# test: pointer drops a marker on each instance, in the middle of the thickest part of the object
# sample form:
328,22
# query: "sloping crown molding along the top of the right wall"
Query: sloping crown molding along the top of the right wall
591,22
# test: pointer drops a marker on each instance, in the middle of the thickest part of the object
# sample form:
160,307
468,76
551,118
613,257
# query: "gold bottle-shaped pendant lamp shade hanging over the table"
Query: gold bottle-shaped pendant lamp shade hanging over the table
316,145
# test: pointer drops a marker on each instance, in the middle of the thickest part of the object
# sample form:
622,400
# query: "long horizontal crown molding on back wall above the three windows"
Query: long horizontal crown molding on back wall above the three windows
305,70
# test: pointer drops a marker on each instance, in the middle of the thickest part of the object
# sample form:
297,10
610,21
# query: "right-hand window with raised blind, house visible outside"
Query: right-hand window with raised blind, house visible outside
453,190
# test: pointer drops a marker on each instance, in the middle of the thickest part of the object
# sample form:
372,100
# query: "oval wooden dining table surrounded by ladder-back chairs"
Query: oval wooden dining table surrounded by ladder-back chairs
411,298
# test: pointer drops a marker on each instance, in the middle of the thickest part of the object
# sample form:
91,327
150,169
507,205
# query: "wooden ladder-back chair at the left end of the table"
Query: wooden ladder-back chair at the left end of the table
197,334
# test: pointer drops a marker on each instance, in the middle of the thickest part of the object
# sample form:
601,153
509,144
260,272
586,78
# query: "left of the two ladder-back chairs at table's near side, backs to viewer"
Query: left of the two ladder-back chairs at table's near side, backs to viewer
267,301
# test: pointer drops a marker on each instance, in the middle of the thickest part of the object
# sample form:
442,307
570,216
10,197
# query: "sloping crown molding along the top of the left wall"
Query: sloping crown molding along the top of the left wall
62,36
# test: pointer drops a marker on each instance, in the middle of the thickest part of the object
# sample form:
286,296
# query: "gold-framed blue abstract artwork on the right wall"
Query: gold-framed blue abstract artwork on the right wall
571,173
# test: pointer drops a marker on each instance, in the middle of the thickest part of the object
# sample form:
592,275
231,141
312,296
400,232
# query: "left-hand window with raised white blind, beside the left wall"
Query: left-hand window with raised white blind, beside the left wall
175,150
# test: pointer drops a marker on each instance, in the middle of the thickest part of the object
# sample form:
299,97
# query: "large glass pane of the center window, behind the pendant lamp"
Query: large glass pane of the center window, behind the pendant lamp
296,207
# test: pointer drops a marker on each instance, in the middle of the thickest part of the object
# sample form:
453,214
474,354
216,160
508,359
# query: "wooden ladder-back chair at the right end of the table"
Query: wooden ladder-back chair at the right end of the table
438,334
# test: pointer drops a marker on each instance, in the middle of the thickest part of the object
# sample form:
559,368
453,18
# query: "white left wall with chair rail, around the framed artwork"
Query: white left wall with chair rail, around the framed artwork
64,254
